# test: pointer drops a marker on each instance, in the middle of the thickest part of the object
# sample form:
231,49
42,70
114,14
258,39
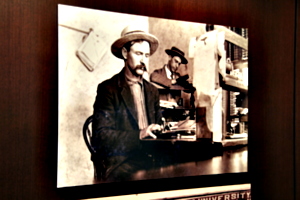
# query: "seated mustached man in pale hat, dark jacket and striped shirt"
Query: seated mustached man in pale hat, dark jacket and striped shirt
126,110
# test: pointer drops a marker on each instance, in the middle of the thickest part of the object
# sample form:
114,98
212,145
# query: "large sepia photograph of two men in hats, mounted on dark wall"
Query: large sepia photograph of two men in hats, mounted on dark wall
193,82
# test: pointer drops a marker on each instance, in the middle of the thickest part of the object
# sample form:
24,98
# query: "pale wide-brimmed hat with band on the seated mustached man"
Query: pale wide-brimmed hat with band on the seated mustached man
130,33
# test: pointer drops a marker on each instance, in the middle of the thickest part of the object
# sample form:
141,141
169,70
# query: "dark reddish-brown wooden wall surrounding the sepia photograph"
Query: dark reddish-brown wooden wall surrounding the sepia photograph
29,96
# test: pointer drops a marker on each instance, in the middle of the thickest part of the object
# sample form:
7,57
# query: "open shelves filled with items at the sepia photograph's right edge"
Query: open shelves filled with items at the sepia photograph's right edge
234,83
